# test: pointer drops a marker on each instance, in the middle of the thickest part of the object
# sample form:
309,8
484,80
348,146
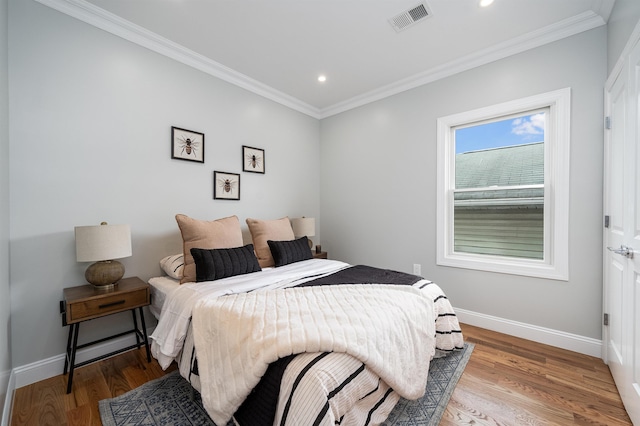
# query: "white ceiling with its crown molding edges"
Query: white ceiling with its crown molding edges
278,48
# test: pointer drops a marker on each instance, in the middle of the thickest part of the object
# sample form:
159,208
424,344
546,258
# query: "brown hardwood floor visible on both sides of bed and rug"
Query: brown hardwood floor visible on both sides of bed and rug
508,381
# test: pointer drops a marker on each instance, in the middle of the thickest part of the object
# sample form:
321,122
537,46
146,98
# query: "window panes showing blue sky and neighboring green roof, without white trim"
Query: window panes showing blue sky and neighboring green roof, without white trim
498,191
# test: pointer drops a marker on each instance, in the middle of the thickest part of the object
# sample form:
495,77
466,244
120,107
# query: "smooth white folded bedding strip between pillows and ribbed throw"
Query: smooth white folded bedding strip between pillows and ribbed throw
168,337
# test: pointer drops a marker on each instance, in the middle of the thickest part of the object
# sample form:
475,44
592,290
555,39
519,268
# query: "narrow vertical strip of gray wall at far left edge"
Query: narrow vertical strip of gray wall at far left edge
5,298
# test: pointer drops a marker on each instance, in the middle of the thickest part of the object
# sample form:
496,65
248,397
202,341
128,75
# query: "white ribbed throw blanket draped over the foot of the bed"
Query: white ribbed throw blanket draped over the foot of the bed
386,327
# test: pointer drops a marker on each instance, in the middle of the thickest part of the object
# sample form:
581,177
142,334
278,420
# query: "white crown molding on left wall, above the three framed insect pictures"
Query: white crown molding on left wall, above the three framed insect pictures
107,21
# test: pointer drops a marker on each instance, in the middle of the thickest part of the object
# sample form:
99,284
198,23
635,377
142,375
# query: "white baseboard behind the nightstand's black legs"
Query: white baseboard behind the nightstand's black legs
50,367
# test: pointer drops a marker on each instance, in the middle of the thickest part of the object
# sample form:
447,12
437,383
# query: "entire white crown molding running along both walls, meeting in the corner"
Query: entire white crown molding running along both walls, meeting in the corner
100,18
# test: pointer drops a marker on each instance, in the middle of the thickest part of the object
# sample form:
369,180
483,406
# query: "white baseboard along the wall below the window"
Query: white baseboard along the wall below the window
559,339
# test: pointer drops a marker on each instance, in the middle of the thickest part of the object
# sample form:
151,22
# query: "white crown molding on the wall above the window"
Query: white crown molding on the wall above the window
566,28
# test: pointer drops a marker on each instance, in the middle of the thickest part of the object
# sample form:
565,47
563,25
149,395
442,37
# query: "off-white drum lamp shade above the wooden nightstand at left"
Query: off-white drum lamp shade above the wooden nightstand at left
102,242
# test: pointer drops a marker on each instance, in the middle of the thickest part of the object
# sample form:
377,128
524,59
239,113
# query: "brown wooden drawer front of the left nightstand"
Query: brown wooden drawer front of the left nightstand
80,311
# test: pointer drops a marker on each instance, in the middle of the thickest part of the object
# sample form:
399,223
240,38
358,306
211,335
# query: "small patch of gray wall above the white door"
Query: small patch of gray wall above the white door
623,20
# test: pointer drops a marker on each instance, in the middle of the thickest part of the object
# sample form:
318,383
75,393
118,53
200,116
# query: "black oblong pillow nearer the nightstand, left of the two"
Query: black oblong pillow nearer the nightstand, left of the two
214,264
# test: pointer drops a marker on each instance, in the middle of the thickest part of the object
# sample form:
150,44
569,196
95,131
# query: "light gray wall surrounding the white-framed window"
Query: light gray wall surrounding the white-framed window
378,188
